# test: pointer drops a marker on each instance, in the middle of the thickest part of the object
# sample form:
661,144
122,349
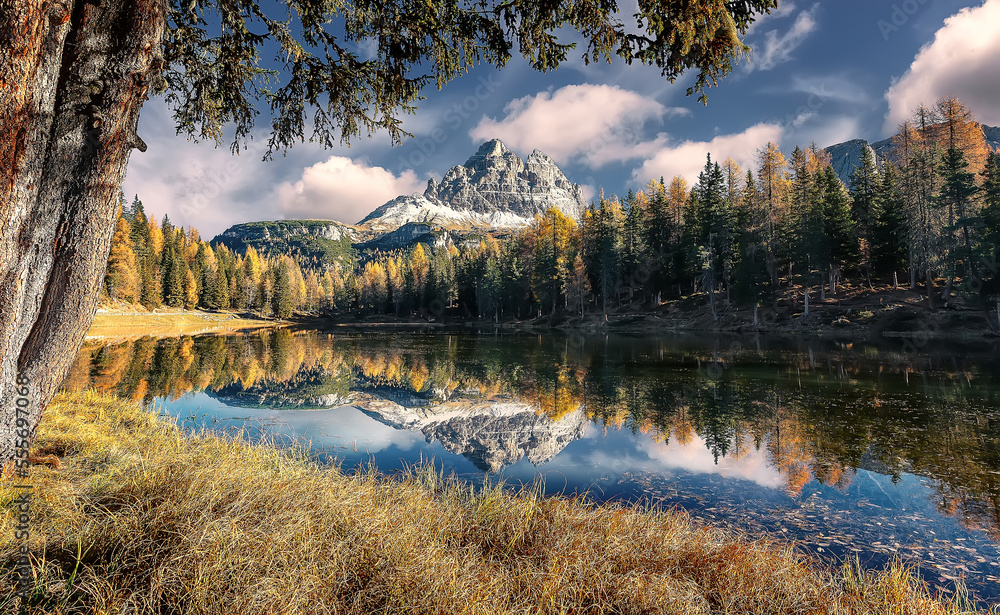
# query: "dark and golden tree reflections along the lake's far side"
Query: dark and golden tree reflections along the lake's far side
819,409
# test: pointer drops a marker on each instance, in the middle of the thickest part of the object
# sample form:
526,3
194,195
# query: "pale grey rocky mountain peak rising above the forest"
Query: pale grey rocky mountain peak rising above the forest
494,188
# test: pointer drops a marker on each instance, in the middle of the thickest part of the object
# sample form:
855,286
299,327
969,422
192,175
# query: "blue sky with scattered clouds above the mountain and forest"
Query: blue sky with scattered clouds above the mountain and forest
819,73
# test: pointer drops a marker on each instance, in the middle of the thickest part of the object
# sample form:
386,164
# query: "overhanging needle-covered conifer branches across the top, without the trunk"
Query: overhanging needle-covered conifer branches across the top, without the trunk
213,73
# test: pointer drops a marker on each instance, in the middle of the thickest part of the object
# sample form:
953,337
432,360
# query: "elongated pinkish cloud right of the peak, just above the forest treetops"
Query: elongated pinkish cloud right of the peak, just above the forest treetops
687,159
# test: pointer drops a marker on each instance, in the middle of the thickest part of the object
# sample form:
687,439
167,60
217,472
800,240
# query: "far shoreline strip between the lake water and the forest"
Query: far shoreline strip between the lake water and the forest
855,313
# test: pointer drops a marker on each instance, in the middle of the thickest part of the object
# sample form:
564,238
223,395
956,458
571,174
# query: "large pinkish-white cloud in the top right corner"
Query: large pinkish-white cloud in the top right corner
961,61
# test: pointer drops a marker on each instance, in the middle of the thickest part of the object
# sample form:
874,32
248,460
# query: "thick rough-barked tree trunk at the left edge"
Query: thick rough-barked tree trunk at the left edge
75,76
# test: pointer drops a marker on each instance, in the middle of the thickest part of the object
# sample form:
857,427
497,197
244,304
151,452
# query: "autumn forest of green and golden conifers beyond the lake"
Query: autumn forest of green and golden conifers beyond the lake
927,218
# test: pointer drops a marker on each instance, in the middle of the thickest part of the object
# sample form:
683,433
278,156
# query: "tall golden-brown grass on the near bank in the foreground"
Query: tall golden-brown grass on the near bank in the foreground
141,518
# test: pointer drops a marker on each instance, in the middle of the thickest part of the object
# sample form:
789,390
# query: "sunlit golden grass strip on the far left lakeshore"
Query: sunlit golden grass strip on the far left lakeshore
122,325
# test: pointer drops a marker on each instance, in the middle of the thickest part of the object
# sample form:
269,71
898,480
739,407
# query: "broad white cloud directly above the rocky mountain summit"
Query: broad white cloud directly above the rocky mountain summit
596,124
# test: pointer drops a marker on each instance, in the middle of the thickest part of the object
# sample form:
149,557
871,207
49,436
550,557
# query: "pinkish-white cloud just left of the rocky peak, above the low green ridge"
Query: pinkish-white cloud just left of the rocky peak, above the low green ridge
342,189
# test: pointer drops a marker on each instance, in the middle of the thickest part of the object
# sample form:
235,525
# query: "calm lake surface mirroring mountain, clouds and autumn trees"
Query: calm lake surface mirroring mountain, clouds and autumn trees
880,449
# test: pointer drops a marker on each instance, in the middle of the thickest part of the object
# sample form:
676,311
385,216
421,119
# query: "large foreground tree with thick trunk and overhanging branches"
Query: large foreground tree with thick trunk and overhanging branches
79,72
